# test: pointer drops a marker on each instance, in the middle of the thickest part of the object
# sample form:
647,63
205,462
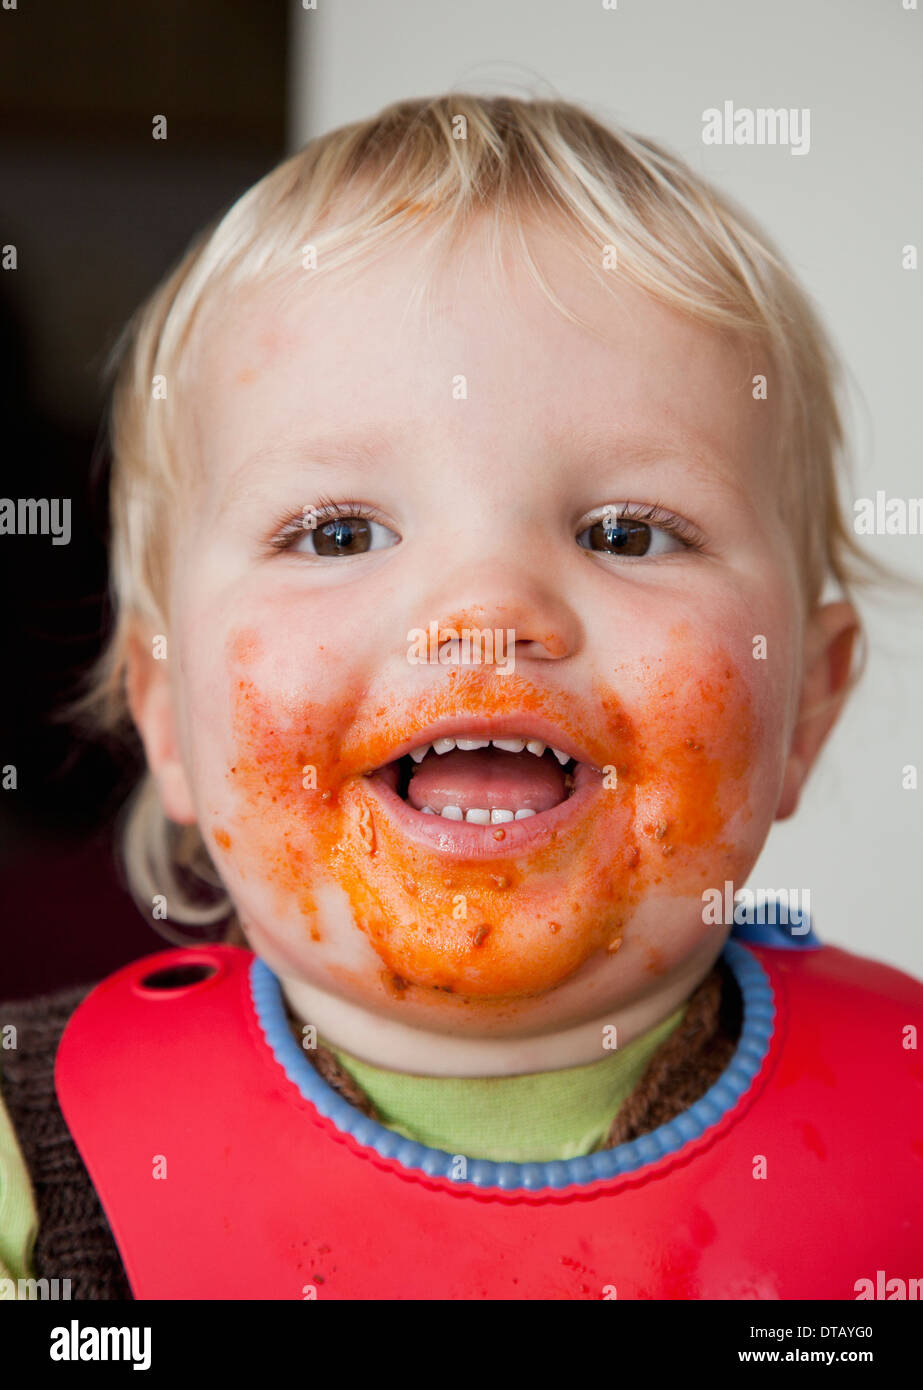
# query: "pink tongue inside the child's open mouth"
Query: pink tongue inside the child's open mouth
487,779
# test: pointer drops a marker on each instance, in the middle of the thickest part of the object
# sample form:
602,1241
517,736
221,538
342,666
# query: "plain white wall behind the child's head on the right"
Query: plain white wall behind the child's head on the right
842,215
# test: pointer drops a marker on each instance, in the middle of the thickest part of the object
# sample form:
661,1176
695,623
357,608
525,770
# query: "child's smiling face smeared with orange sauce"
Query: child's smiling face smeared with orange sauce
490,436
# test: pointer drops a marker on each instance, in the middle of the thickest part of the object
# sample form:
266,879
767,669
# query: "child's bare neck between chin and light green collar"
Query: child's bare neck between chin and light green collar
398,1047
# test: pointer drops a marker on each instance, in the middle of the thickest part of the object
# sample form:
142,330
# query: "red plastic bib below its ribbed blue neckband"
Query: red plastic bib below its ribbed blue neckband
220,1181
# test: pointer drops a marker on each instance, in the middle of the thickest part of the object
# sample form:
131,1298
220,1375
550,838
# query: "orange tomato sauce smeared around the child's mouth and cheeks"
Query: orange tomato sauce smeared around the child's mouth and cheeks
516,925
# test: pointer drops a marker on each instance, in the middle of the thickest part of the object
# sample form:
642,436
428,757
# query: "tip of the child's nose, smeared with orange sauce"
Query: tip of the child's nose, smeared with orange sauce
529,611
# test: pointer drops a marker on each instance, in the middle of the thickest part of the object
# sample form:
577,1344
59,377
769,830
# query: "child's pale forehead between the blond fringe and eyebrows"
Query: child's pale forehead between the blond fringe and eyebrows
477,340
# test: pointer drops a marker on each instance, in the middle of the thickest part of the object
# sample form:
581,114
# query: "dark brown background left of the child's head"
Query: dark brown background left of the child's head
98,211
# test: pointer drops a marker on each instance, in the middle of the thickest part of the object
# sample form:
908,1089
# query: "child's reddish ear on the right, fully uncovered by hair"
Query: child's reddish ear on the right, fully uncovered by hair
829,643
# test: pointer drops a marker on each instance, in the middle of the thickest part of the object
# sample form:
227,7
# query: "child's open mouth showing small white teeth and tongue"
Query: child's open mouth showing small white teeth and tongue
484,780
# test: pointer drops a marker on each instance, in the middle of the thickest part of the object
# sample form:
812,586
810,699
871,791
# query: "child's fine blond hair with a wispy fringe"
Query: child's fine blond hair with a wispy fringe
433,165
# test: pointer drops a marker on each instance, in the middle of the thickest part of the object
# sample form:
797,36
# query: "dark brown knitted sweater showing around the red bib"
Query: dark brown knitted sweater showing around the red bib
74,1241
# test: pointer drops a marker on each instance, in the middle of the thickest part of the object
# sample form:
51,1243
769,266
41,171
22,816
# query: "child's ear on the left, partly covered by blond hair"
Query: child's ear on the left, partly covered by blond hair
152,705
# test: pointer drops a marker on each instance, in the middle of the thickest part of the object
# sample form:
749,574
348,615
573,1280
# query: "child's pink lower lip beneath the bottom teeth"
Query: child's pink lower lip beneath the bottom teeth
462,840
